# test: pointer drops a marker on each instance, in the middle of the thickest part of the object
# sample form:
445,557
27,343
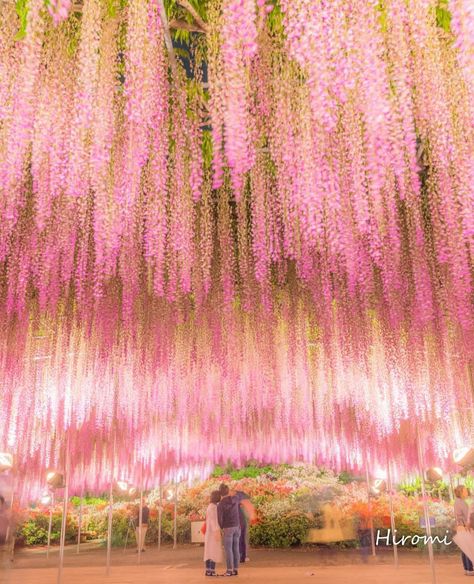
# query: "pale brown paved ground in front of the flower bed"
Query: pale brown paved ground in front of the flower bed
184,566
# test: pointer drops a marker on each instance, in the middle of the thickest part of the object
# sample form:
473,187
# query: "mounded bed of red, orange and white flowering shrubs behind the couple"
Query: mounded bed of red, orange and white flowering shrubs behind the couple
289,501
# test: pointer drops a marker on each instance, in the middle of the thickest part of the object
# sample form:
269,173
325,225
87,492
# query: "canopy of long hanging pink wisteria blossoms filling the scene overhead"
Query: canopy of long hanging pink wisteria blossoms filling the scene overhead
234,230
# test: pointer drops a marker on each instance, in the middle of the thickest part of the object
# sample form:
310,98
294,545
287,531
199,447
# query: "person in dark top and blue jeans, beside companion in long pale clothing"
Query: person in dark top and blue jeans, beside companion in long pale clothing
228,515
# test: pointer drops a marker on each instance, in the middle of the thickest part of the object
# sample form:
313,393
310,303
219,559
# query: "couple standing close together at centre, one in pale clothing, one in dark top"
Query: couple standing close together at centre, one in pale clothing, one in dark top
226,516
